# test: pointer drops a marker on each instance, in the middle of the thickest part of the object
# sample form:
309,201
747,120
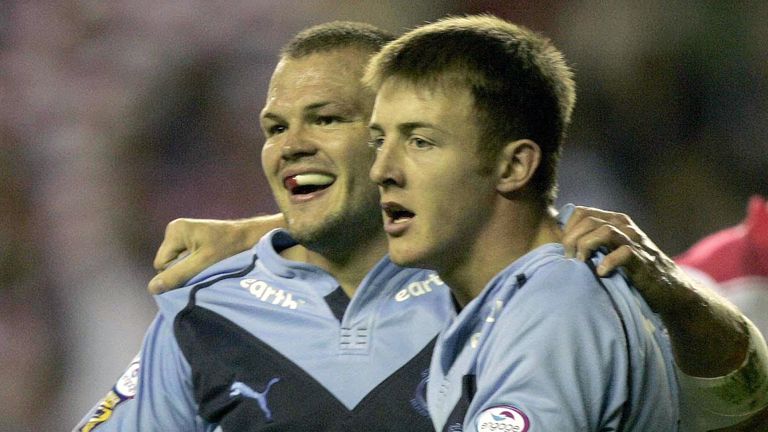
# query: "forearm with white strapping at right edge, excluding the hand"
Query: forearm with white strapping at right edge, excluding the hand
722,357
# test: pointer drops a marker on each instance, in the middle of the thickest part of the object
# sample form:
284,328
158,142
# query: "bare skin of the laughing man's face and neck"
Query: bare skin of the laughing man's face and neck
315,121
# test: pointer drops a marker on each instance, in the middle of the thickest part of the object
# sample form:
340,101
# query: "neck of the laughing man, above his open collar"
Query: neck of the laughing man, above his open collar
348,265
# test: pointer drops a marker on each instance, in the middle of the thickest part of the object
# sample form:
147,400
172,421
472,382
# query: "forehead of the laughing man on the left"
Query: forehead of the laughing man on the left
331,76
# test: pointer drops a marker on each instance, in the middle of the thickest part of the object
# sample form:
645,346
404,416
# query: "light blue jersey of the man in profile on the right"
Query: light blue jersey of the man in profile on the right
549,346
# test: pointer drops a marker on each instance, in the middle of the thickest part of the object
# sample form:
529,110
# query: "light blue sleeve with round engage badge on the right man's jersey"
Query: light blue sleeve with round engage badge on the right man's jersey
556,360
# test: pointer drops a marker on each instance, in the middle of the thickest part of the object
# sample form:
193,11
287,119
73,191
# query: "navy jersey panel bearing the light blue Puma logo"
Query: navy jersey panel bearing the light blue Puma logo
245,385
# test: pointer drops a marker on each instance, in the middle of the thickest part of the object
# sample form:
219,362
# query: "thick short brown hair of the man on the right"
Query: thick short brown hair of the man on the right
520,82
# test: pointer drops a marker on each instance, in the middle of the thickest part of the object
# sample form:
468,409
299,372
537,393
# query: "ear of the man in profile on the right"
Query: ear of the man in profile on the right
516,165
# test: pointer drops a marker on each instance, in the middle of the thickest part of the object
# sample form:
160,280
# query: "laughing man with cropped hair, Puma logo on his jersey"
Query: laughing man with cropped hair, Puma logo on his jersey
269,339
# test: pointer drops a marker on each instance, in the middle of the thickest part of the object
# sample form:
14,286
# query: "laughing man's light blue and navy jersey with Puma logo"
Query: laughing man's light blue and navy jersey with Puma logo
257,342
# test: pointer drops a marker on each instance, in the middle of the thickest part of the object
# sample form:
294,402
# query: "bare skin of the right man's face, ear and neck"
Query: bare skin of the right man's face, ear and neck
427,162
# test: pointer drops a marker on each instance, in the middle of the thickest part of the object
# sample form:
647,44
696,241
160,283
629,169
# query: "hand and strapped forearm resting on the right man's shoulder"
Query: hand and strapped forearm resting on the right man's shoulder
722,359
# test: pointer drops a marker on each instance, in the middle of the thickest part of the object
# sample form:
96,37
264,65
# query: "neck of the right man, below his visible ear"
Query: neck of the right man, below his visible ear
511,232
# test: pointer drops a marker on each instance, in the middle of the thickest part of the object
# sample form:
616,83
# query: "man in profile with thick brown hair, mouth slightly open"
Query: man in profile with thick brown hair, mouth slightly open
469,120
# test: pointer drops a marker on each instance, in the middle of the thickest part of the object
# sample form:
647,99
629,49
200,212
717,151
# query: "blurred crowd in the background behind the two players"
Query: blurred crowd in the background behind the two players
116,117
